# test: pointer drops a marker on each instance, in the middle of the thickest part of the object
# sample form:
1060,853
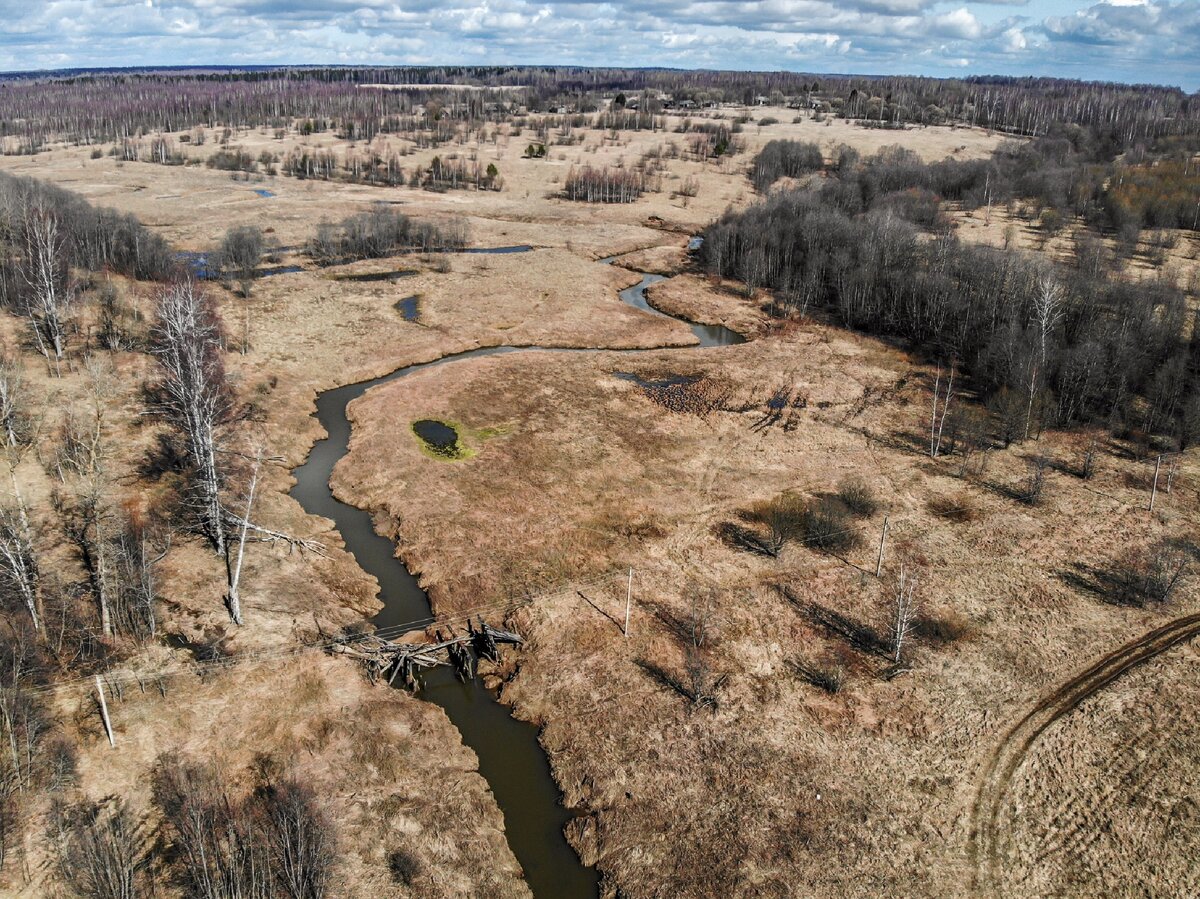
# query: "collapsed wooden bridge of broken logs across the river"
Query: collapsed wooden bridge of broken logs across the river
393,660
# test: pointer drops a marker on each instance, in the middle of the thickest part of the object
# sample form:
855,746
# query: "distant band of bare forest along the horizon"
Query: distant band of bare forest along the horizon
105,106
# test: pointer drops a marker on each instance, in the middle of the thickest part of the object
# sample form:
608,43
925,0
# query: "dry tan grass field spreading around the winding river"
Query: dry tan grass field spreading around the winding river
772,787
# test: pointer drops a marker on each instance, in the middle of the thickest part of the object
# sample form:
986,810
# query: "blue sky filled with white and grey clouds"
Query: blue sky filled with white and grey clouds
1120,40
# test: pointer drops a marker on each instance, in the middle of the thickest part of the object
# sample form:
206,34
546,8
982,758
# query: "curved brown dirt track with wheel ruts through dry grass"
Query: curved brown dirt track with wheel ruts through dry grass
1007,758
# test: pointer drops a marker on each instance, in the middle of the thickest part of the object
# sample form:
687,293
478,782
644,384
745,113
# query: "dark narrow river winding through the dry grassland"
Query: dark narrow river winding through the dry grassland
511,758
